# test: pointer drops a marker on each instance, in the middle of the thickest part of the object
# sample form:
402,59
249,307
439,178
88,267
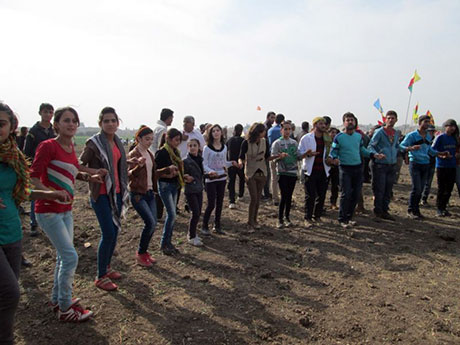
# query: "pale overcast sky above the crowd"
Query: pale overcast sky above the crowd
218,60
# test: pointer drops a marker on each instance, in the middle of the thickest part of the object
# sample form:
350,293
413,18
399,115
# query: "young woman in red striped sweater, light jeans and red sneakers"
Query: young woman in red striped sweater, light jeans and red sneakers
55,168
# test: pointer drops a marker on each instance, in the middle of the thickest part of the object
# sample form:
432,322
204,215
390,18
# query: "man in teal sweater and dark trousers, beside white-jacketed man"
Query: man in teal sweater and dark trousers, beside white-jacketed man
346,152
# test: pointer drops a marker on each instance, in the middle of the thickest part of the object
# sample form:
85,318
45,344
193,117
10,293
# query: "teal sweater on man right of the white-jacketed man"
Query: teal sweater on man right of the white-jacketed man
348,148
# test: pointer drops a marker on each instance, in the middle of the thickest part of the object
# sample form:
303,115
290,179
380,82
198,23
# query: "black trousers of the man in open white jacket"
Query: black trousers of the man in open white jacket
315,193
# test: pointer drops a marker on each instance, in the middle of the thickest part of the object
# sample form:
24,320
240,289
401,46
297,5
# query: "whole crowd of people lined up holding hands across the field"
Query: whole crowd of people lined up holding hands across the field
41,166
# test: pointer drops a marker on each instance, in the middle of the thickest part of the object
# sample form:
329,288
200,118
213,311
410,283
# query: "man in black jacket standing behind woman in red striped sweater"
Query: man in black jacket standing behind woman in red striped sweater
41,131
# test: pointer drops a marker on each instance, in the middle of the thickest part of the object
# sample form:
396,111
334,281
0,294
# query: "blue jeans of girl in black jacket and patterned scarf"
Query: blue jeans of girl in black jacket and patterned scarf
168,194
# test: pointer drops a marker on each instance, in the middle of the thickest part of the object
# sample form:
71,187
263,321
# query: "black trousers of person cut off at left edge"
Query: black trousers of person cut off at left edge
10,264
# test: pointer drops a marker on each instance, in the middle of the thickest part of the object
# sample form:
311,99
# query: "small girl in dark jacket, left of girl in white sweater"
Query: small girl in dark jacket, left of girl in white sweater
193,167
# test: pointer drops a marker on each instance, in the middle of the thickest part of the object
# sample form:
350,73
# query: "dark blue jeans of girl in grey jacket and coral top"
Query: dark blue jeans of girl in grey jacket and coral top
109,232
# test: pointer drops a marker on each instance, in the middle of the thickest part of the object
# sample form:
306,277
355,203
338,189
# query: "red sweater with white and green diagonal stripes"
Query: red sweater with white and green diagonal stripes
57,170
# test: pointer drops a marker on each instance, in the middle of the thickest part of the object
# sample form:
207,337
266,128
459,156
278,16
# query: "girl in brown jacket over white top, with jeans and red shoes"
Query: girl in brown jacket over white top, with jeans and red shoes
143,187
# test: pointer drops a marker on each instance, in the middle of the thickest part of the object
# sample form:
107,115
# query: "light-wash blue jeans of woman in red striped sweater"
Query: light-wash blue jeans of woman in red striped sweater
59,229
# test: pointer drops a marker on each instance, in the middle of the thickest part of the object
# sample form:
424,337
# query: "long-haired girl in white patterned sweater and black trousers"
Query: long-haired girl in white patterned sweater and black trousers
214,164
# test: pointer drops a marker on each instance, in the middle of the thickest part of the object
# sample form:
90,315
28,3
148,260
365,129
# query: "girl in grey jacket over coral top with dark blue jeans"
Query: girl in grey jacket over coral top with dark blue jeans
110,199
